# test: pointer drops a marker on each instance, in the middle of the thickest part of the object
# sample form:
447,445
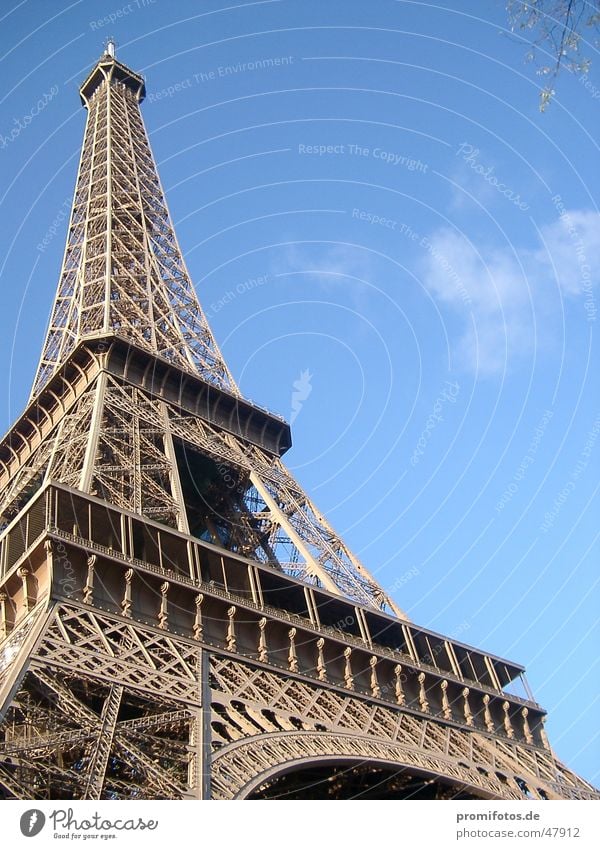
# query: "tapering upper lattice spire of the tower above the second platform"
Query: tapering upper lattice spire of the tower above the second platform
123,273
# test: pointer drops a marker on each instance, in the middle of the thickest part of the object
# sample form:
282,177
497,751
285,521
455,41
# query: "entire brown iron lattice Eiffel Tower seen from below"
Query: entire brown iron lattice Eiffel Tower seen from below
177,618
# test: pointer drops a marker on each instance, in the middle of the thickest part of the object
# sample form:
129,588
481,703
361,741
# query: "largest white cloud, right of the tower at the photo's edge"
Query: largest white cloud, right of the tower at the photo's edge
508,297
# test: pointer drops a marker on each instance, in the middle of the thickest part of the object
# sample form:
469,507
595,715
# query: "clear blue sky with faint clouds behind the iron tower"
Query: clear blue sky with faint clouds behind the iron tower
395,249
